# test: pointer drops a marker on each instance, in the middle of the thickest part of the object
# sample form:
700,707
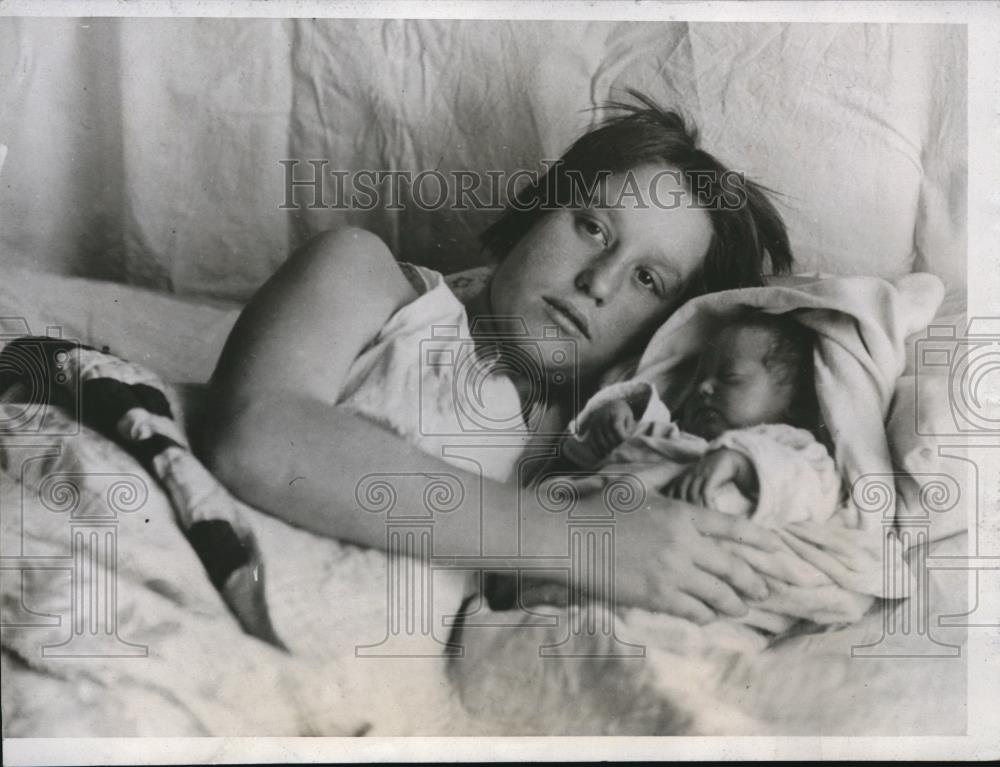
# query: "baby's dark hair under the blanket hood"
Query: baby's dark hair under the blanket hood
790,360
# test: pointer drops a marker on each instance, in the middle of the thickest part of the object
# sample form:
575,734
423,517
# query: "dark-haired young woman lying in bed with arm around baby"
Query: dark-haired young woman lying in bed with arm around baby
299,420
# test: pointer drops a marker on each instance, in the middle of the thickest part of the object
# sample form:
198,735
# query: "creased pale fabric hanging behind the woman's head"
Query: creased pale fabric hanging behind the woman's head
147,151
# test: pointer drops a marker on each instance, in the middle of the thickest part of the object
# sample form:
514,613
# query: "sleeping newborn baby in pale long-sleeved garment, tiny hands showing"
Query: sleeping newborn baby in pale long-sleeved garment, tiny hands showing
744,440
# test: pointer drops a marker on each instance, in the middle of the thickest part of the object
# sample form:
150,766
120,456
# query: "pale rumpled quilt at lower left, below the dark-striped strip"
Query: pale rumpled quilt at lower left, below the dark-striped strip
173,660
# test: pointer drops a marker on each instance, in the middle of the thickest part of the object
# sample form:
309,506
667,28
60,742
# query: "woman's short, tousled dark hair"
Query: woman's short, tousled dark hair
746,226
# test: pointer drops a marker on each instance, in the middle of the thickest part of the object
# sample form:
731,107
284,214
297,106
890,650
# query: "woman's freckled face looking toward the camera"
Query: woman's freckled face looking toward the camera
608,275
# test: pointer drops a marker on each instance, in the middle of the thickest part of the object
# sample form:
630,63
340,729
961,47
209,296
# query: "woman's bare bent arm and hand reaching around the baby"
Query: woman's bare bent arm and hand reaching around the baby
278,442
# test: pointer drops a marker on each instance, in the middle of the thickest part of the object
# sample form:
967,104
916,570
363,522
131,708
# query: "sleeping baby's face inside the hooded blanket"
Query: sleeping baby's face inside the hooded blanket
734,388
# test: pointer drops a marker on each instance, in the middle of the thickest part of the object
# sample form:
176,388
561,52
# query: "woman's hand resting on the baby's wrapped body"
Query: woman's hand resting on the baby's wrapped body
668,559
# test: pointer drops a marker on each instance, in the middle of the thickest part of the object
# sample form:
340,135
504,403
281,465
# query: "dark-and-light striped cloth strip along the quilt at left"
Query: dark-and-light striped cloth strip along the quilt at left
126,403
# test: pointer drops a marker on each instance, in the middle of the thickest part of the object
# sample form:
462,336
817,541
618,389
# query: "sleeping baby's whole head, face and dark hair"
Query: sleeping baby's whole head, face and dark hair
757,370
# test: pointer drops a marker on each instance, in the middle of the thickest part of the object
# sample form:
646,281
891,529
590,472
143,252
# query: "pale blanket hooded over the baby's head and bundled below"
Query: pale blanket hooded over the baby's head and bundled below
827,573
